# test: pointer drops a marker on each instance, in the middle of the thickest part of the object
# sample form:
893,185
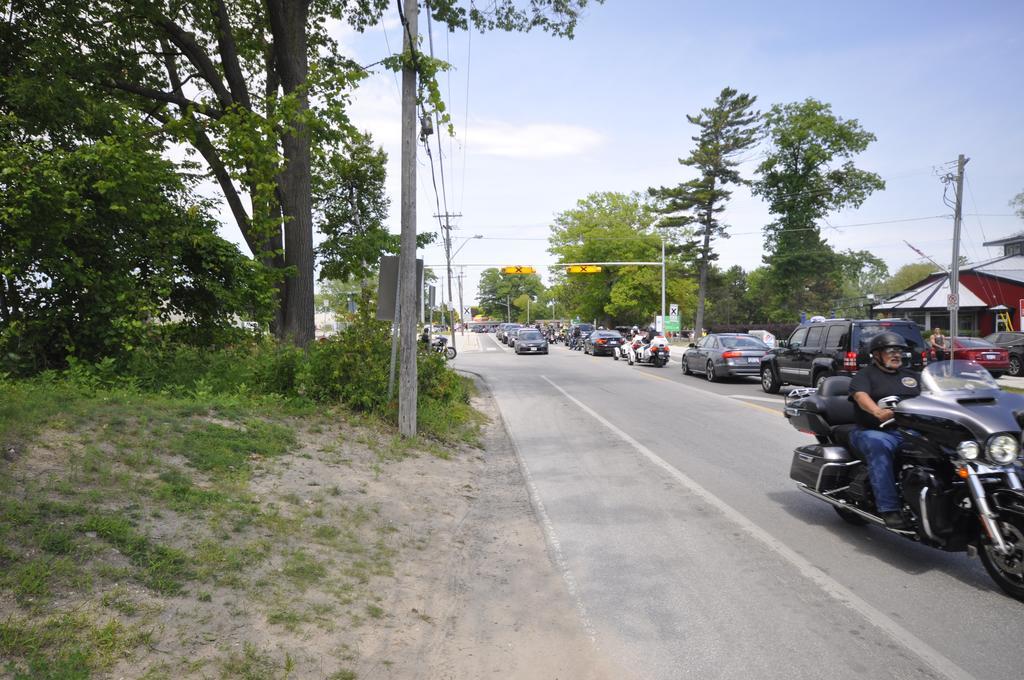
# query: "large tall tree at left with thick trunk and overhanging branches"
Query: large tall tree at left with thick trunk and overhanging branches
259,90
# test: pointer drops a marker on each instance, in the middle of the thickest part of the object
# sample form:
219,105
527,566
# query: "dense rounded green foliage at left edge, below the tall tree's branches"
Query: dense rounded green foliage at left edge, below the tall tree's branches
101,241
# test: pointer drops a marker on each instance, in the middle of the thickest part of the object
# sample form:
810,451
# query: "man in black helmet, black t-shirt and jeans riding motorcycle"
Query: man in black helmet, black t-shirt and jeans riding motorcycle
884,377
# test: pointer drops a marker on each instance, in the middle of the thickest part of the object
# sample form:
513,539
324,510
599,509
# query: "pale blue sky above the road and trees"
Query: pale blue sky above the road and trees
542,122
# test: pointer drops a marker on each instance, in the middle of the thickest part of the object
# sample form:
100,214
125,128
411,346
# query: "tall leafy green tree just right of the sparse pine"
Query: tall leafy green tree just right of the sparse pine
807,174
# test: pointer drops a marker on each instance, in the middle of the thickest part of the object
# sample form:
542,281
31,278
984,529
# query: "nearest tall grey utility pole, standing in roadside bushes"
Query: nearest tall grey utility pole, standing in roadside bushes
407,262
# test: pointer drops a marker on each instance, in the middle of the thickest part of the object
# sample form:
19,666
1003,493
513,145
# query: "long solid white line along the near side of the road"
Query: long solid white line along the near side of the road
832,587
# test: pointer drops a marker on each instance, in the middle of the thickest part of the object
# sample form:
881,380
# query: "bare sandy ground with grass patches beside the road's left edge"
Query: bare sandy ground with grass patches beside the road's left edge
464,586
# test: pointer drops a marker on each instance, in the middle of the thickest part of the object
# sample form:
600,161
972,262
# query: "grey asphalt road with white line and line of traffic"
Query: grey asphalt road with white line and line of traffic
668,508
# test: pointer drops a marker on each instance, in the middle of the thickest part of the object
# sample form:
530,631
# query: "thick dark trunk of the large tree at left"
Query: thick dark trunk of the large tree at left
288,24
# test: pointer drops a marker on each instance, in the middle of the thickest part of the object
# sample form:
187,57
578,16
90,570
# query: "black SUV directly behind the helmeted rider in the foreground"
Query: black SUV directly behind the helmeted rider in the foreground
834,348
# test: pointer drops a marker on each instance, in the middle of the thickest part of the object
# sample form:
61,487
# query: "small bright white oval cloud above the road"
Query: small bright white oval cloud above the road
531,141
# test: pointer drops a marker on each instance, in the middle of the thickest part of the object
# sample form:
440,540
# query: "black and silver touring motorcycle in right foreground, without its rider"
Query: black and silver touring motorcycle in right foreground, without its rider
959,471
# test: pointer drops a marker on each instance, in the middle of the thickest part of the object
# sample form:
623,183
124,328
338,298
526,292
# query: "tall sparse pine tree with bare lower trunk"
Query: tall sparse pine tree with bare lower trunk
727,130
